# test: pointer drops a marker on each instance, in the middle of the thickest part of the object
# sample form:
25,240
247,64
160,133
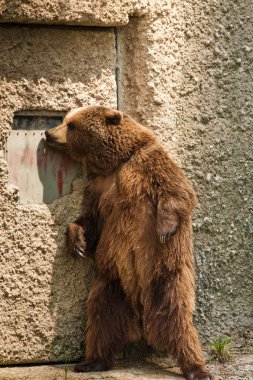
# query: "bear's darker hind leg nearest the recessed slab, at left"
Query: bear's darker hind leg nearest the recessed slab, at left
111,324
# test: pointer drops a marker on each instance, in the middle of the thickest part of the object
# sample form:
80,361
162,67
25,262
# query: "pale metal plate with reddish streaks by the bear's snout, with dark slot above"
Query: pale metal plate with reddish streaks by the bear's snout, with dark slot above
41,174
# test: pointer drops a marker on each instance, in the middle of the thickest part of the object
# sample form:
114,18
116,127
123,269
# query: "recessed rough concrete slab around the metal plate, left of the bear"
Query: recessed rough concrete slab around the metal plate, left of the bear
42,291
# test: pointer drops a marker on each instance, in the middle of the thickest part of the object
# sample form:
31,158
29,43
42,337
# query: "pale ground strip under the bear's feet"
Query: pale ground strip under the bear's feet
241,367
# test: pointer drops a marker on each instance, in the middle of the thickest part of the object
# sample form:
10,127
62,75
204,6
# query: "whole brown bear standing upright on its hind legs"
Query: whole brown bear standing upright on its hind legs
136,222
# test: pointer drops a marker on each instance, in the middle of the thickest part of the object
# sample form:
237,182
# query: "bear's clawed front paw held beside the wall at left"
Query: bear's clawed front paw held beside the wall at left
75,240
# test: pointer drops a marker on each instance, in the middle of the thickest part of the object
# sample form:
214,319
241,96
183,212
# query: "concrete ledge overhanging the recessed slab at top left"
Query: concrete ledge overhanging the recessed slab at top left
74,12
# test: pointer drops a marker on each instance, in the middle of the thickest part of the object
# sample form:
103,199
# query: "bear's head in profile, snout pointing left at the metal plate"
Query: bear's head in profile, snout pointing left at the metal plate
103,138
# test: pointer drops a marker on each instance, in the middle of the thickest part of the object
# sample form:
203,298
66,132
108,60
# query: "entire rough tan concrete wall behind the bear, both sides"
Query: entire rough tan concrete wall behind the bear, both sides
184,70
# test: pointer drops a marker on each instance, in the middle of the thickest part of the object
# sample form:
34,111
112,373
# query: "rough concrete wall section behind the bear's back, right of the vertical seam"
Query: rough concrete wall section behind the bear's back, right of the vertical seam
186,72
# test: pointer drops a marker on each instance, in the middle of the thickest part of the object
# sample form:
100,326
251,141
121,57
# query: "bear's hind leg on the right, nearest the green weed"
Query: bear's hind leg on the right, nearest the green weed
168,323
